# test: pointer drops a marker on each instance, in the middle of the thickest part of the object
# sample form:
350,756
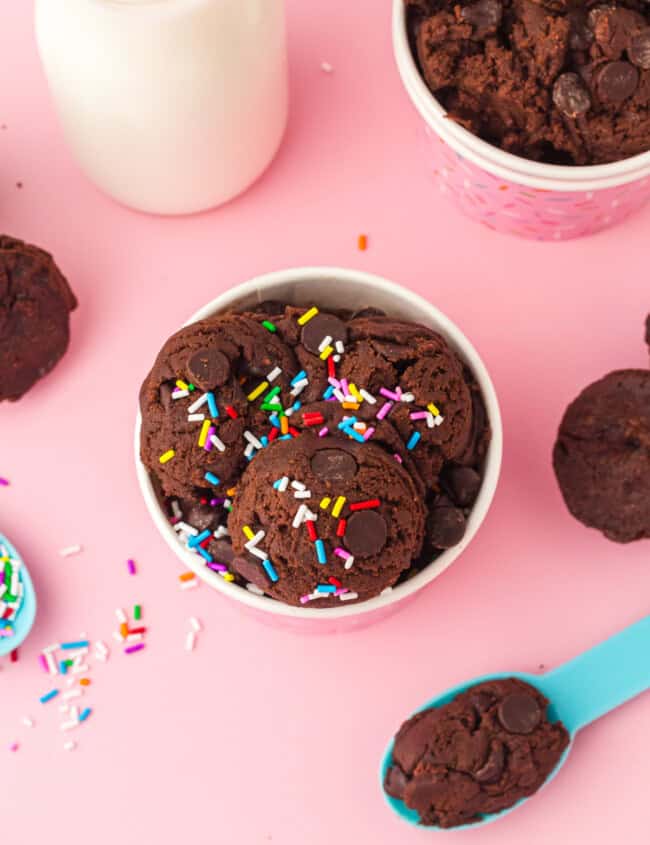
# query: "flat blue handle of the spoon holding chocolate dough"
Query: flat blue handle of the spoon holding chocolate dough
606,676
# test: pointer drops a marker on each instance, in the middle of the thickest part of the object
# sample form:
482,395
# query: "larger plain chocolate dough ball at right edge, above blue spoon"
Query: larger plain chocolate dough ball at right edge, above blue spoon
602,455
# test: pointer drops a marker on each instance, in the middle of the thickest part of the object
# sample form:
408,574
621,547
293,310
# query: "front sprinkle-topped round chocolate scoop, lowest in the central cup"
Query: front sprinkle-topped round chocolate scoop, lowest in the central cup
322,520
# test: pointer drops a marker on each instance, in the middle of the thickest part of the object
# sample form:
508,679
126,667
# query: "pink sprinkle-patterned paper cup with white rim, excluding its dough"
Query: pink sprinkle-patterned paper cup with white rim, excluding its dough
510,194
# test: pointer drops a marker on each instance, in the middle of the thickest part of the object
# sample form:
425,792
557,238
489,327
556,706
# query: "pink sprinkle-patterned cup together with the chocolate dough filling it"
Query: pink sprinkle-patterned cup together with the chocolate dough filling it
537,112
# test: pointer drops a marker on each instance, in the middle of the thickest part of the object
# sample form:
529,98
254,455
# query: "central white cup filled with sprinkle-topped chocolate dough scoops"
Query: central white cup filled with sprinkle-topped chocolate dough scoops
318,444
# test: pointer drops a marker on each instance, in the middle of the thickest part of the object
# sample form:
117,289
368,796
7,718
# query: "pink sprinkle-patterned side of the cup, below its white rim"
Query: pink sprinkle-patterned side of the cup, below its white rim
542,215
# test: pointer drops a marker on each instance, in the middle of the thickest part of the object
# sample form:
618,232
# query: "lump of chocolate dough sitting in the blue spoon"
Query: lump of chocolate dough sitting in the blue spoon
482,753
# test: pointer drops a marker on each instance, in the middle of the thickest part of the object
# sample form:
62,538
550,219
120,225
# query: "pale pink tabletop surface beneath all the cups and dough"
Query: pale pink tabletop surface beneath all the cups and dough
260,735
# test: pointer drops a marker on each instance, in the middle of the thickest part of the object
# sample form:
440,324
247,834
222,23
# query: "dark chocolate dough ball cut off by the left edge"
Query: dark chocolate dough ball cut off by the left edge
35,306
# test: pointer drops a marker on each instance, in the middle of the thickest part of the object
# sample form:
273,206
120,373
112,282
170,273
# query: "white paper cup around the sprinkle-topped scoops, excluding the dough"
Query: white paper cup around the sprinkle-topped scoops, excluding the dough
337,288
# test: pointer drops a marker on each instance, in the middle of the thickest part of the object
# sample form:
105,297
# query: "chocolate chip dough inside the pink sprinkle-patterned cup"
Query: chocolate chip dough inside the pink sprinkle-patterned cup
550,80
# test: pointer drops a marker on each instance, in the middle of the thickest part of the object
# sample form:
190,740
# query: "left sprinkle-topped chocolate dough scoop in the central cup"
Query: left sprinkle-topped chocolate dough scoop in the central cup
200,418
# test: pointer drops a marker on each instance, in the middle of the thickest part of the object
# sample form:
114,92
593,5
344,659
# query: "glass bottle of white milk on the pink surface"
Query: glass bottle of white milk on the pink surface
170,106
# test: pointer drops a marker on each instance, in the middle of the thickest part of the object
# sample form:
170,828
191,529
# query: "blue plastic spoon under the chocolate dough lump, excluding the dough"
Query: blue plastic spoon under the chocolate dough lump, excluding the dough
580,691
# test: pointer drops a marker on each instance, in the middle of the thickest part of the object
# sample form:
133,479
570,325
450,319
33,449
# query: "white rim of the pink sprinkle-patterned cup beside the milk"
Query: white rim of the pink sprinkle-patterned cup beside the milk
549,177
